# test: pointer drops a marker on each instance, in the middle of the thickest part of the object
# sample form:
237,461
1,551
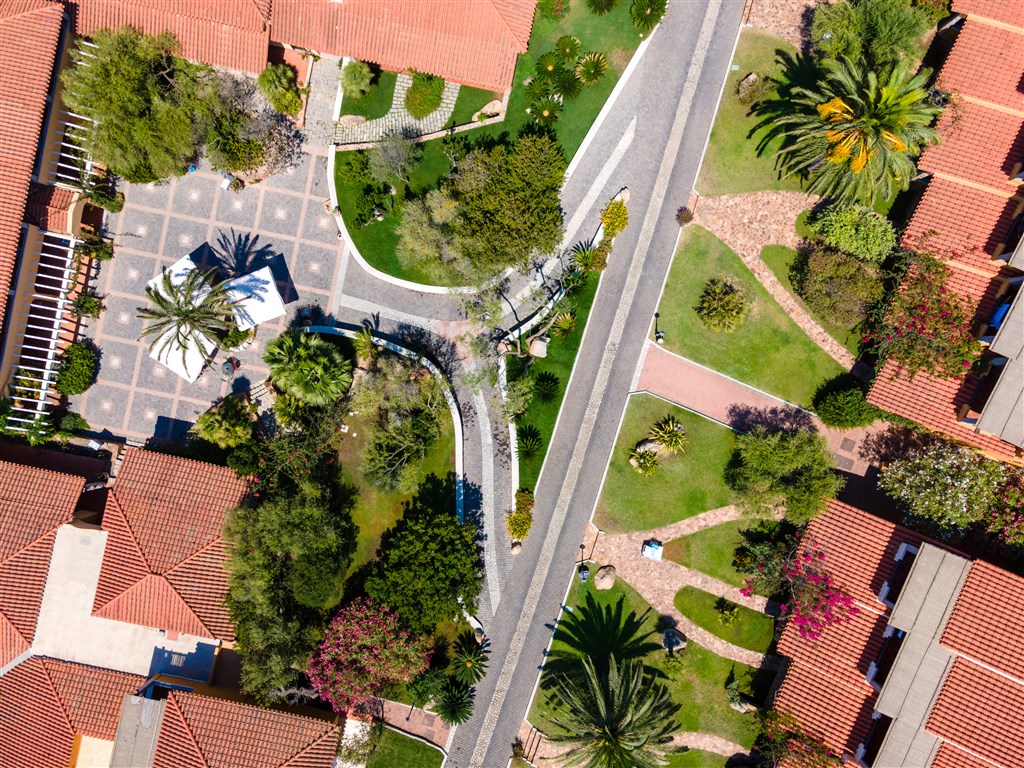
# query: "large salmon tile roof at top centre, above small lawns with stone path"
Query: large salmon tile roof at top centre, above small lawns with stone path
475,42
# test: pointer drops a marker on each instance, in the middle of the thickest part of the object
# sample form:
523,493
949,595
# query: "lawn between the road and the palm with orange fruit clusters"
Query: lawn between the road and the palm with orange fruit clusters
732,164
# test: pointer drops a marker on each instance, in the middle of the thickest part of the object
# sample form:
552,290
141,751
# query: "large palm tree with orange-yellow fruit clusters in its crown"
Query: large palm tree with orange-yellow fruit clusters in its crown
857,133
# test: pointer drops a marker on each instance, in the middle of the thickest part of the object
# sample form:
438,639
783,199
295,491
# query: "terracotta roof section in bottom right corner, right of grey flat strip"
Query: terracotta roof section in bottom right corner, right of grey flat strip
970,691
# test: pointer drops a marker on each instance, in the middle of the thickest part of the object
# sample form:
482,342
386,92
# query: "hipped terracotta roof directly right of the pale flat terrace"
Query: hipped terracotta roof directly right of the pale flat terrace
164,561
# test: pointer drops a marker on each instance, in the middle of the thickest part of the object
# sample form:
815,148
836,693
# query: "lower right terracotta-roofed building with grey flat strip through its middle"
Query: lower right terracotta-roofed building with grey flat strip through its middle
929,673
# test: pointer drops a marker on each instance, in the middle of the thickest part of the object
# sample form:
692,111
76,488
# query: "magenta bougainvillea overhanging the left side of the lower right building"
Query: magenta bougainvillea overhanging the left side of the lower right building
816,601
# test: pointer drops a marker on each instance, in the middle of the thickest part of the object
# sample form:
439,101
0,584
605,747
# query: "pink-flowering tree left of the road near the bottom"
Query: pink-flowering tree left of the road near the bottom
365,649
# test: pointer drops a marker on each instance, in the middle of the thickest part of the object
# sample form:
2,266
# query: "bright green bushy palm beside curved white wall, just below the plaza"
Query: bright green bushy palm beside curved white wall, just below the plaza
307,367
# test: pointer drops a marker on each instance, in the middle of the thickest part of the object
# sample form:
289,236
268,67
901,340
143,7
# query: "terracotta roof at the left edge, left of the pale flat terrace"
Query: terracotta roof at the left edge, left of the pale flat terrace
34,503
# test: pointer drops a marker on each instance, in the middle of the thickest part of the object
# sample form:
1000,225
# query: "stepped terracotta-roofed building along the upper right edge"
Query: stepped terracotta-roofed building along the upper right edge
972,217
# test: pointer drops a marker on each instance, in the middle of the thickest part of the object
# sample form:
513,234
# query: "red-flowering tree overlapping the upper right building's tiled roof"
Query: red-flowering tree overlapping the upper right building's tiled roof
928,327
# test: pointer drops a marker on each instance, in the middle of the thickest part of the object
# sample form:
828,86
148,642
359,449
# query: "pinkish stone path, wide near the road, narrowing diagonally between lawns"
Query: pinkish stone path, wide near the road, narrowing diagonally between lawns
749,223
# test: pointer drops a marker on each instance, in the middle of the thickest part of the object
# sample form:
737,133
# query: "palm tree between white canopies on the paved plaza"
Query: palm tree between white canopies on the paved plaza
192,315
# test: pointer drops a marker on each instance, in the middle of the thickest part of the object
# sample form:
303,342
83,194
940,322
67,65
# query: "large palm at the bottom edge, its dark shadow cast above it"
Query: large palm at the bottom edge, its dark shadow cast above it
619,720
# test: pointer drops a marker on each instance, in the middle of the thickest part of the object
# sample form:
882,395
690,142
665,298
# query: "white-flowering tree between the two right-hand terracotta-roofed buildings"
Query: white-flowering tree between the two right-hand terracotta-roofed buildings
944,488
